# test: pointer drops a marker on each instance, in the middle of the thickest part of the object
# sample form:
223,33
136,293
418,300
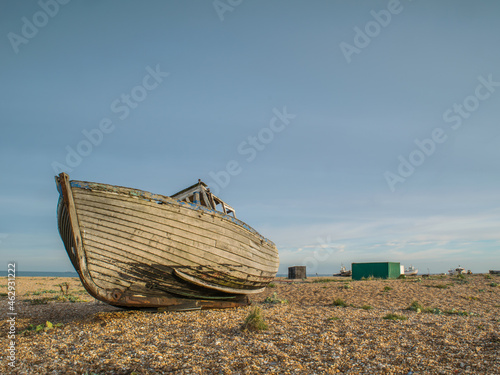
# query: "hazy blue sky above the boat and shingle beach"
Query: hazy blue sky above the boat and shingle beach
343,131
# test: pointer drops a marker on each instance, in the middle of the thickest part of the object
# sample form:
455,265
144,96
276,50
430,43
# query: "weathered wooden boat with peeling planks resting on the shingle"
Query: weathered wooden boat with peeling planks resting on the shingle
132,248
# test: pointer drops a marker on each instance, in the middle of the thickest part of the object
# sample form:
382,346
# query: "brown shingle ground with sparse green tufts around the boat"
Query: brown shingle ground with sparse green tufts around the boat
456,332
